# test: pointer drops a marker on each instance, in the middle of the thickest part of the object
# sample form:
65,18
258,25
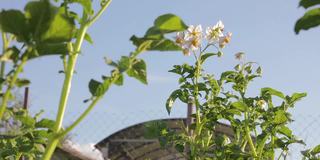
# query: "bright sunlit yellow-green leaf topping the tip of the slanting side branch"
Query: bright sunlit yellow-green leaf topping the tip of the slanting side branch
170,23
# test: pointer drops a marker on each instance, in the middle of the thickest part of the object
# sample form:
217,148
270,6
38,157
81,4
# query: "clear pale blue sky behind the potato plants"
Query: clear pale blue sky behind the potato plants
261,29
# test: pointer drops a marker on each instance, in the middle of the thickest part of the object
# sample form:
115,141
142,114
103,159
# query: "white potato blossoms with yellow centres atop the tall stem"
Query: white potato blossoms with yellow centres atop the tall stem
190,40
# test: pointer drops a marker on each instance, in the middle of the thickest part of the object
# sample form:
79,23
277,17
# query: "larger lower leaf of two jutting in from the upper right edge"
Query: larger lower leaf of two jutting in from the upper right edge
309,20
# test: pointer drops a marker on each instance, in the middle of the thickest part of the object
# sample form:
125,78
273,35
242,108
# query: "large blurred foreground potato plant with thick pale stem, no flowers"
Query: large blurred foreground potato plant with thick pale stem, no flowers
44,28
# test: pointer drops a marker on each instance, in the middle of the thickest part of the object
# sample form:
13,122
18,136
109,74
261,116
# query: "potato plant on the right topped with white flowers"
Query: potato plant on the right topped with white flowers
259,123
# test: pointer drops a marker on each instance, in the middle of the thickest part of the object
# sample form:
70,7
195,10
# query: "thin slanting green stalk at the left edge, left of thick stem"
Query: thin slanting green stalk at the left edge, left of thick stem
6,95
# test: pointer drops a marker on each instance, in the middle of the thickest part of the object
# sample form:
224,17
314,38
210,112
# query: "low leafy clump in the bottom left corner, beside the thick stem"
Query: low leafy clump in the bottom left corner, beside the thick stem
23,135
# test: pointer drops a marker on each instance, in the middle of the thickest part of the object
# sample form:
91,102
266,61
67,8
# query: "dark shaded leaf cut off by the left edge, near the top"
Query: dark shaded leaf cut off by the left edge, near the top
14,21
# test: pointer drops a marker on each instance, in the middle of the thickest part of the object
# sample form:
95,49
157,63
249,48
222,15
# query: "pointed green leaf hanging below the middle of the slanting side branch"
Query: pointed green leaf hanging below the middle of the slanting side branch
138,70
